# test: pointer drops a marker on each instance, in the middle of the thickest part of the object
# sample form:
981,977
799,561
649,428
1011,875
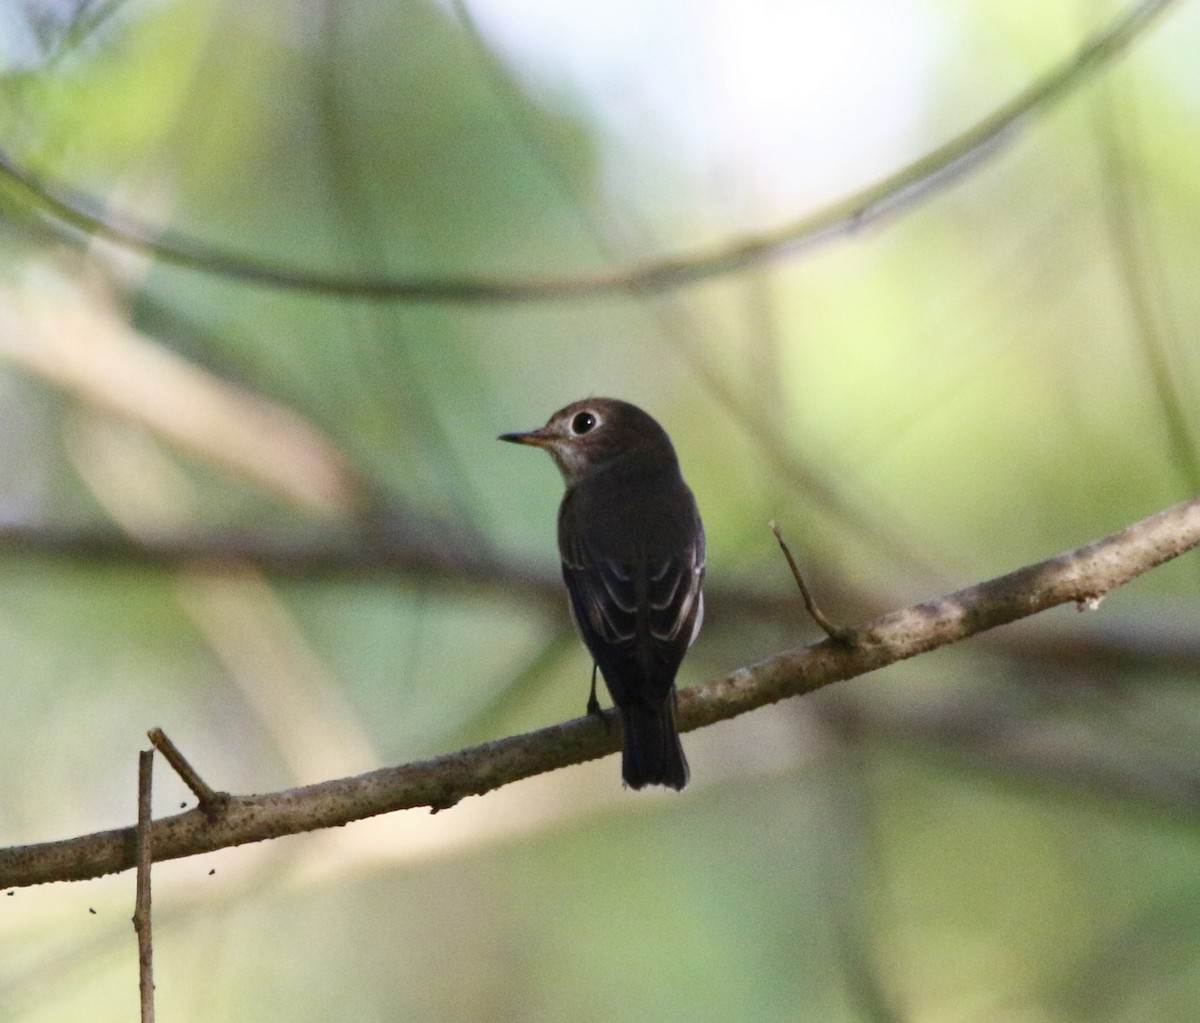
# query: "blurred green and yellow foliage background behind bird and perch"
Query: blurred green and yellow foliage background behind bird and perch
274,521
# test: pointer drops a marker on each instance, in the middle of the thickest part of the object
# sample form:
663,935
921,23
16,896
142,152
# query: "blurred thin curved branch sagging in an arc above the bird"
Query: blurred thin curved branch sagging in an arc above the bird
899,192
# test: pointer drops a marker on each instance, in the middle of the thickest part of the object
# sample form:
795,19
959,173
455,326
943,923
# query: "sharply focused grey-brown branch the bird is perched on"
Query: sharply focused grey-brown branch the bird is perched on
1083,577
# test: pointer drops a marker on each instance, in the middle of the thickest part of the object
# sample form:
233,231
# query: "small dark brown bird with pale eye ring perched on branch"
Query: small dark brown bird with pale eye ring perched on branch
633,551
